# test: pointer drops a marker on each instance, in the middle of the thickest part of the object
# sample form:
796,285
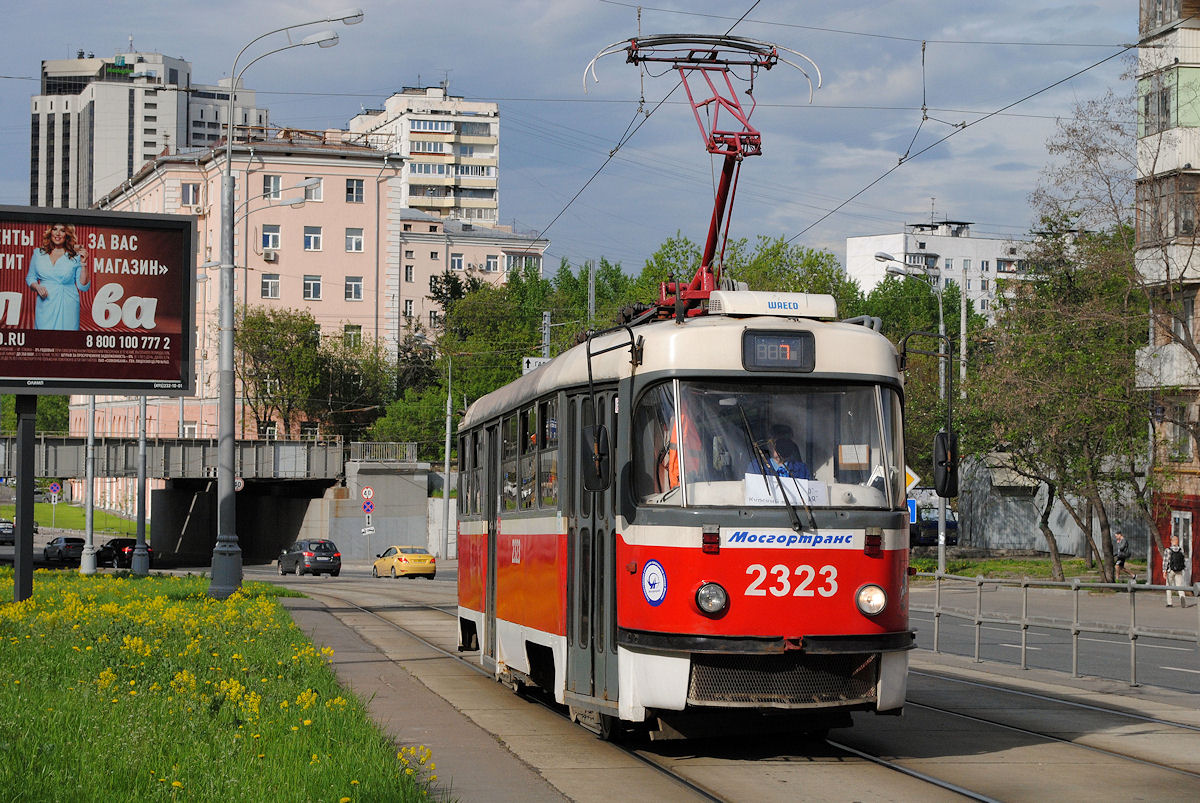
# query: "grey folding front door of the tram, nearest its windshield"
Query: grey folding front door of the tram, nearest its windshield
592,650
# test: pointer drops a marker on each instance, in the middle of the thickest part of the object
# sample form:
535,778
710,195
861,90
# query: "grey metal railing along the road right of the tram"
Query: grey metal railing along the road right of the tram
1077,626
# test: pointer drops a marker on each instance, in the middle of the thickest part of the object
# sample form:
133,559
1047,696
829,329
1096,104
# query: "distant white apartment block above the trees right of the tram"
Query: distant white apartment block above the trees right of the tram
974,263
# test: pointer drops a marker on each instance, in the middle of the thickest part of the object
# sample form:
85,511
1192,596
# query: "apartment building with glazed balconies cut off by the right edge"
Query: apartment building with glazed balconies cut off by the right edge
1167,257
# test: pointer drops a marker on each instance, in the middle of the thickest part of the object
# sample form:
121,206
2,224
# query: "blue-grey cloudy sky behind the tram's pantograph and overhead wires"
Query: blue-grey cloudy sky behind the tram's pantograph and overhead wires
529,56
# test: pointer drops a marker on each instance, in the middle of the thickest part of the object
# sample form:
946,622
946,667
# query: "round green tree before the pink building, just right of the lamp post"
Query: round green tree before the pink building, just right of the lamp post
279,364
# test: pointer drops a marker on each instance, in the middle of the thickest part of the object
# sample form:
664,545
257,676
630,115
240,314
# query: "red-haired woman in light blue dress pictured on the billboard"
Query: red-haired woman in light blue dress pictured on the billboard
58,273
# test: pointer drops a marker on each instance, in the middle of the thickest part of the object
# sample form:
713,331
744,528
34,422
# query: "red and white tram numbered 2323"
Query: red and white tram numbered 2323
742,558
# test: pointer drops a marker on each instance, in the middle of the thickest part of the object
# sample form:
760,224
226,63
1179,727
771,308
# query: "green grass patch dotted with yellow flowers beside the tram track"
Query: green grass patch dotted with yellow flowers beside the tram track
122,688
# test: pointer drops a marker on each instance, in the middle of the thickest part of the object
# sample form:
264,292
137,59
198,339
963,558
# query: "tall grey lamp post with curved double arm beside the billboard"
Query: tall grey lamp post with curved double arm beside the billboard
227,555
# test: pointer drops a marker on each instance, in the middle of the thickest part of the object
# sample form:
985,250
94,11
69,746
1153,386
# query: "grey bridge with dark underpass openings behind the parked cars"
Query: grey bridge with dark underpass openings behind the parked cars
289,490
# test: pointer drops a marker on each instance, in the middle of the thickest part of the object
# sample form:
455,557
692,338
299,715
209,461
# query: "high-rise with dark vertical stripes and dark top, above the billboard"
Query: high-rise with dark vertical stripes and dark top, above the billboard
98,121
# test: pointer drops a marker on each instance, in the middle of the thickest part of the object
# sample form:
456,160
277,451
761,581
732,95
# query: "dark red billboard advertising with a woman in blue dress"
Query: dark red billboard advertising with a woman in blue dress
97,303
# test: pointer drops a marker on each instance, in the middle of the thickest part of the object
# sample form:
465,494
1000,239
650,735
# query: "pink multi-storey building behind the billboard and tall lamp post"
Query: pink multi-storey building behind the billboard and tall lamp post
321,225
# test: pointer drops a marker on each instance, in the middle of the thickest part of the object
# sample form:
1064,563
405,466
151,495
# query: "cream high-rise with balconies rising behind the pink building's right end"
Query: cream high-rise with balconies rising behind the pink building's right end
451,146
